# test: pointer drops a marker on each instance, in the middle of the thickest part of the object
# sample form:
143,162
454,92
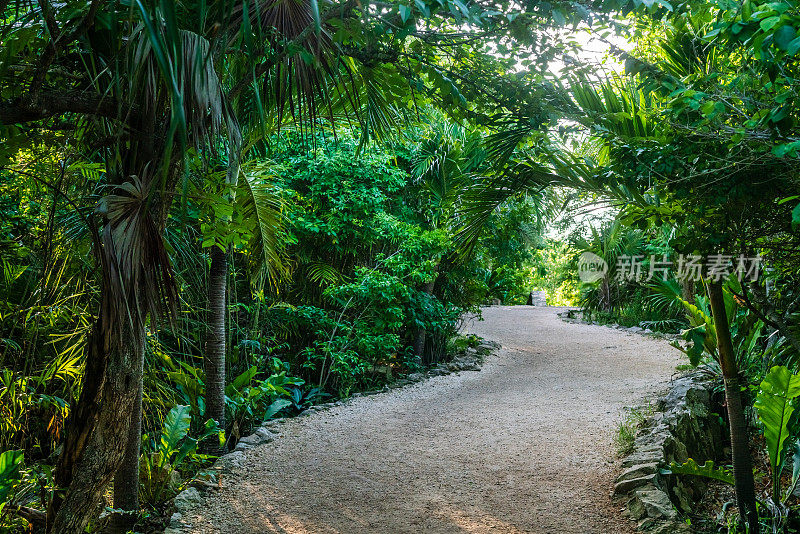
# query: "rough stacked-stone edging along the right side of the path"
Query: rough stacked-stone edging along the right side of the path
685,426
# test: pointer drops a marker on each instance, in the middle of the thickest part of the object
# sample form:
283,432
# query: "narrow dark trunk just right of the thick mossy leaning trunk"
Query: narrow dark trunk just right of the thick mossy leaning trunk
126,479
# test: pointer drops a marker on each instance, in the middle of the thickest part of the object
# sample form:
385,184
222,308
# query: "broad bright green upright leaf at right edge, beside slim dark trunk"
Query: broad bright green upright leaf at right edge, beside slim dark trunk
775,407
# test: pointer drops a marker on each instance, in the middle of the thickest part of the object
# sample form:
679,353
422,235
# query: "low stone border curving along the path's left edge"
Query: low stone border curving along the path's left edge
470,360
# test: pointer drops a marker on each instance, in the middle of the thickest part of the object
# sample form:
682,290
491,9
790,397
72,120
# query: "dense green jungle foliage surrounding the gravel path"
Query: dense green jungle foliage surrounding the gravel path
216,213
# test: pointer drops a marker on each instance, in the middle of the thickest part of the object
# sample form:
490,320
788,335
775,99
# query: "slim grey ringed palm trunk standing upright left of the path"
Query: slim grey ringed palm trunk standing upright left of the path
214,356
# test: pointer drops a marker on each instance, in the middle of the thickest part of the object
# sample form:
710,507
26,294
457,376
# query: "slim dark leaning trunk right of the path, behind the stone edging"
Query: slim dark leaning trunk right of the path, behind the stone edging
740,449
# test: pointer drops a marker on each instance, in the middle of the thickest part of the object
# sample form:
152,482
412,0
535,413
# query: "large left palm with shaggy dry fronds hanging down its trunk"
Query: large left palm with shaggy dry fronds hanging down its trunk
163,102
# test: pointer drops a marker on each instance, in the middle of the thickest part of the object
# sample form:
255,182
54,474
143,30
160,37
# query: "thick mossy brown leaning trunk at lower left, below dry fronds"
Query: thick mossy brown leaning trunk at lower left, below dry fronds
98,428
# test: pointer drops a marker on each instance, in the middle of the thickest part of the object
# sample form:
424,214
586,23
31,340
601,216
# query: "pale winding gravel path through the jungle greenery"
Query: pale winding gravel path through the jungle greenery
525,445
